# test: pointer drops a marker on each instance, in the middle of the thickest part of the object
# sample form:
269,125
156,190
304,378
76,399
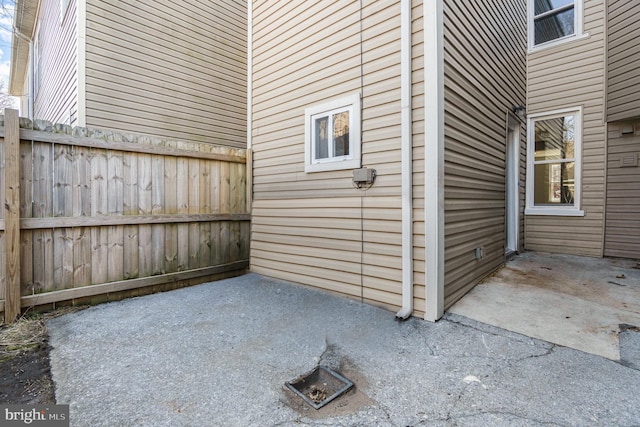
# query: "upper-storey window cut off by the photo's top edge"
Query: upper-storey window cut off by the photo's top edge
554,21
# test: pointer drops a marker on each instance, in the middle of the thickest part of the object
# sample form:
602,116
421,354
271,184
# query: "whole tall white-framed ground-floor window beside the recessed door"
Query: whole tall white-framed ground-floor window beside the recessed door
554,163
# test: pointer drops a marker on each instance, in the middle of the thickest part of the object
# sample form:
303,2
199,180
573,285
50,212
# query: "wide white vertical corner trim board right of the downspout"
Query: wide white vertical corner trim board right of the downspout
434,158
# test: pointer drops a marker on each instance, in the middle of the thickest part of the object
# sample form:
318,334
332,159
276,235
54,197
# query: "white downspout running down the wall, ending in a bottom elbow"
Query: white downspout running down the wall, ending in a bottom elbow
407,160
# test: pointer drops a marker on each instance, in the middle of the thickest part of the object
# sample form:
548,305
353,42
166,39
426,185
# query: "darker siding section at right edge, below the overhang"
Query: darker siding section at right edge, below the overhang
622,237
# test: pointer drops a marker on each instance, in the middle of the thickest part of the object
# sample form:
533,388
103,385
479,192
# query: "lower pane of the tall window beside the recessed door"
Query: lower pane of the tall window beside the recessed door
554,184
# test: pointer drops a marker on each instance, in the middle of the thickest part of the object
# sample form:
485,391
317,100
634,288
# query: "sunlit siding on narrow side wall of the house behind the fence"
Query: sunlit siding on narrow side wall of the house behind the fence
57,96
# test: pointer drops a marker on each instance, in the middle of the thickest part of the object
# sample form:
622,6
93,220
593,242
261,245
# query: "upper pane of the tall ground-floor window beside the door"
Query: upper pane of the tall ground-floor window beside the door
555,138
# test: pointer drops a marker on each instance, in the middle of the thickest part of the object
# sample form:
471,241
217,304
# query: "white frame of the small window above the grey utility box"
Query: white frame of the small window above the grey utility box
352,161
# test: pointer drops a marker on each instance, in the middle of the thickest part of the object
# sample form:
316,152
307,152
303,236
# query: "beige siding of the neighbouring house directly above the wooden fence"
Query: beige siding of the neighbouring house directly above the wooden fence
170,69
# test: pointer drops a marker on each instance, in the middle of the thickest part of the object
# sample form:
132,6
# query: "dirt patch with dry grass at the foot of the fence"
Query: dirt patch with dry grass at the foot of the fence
25,375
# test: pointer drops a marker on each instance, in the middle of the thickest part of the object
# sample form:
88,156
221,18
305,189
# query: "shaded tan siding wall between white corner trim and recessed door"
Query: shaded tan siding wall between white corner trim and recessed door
484,48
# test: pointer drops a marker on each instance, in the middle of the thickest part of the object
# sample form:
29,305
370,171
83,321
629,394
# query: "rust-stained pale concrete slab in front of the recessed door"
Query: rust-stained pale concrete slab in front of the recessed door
577,302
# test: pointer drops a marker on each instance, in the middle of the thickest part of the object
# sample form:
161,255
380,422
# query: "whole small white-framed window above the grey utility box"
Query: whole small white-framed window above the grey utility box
332,135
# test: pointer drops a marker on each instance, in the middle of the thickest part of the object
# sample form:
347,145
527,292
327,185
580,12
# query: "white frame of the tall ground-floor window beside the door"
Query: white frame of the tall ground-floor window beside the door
565,210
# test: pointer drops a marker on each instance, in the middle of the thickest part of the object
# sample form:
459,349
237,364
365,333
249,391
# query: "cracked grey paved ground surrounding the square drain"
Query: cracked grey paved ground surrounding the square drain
220,353
